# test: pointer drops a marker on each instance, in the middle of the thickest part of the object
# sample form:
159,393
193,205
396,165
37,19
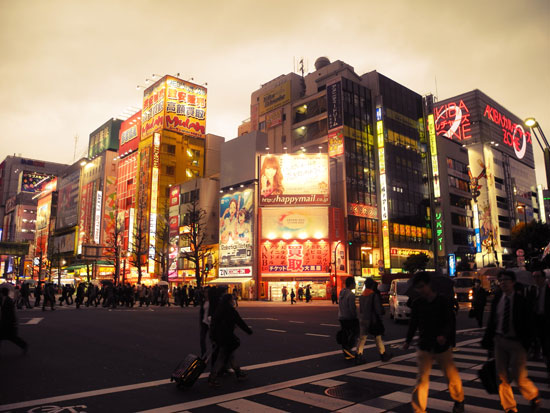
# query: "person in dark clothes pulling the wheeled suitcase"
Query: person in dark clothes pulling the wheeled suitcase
223,325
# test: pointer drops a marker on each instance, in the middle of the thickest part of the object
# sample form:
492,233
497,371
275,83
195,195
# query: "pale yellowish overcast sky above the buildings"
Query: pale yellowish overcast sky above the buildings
66,67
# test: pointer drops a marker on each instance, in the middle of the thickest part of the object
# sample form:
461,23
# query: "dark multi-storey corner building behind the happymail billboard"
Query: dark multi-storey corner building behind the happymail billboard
375,135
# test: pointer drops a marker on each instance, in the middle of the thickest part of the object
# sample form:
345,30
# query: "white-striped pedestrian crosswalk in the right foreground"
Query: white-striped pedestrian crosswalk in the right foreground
381,387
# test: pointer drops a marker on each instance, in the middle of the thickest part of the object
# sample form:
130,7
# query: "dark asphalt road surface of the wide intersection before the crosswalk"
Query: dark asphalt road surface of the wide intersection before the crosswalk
84,357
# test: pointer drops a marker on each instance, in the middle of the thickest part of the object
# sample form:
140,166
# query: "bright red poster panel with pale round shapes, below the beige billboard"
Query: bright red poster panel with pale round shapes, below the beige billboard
304,256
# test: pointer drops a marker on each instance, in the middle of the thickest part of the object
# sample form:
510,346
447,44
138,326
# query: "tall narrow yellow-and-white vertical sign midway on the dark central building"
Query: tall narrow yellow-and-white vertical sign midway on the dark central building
383,188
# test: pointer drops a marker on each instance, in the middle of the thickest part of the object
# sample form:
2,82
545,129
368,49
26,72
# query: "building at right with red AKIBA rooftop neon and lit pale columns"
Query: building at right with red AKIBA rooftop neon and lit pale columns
501,179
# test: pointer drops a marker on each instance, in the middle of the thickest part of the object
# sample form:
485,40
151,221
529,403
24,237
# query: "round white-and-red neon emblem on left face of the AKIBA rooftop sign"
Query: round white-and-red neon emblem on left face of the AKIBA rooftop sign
453,121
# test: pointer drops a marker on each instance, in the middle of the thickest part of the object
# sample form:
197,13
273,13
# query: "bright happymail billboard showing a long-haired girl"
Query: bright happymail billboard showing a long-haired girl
293,180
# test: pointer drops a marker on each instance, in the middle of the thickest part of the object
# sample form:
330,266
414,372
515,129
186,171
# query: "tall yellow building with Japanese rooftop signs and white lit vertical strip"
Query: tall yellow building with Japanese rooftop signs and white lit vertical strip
171,150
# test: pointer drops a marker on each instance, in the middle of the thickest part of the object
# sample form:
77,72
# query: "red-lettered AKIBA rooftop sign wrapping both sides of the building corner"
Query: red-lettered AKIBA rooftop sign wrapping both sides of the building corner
475,117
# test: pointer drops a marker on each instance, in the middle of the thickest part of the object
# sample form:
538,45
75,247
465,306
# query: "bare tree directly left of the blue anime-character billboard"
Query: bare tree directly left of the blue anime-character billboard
195,238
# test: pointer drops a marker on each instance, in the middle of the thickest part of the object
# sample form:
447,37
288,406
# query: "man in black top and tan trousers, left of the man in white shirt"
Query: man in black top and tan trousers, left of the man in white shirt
432,314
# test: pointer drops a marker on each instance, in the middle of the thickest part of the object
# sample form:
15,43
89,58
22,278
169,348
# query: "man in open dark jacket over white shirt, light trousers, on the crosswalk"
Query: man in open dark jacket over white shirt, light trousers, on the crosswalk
509,334
